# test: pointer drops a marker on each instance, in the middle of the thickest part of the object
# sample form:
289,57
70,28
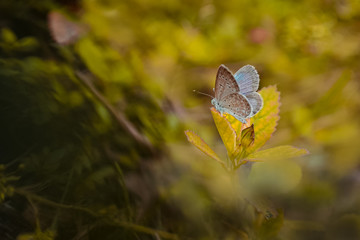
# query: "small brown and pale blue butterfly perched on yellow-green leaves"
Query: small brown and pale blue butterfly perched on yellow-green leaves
236,94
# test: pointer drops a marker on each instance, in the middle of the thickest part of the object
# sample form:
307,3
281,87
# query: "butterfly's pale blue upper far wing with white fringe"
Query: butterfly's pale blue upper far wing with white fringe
248,79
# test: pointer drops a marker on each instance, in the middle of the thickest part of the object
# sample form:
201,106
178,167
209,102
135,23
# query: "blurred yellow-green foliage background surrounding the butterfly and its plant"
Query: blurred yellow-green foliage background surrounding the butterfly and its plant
94,104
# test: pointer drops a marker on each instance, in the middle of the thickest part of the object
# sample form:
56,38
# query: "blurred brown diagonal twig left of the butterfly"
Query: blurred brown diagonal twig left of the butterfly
119,117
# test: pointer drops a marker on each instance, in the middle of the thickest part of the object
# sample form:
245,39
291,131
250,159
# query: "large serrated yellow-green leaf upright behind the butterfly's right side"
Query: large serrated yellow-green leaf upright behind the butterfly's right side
266,120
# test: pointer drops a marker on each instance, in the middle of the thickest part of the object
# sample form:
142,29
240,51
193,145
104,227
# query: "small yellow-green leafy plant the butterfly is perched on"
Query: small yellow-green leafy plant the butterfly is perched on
243,141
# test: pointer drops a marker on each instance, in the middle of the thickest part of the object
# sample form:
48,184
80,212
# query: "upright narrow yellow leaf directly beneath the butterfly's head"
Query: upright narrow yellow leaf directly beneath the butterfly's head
227,133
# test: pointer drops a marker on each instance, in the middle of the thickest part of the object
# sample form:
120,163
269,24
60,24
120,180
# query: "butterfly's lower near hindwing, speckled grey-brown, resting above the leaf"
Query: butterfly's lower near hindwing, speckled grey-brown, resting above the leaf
237,105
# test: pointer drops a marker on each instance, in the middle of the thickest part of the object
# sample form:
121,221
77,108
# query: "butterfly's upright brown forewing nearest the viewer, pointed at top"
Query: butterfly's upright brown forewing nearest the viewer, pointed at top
225,83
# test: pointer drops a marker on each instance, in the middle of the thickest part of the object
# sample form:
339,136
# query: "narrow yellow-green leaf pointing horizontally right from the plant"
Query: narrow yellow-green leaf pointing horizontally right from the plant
281,152
